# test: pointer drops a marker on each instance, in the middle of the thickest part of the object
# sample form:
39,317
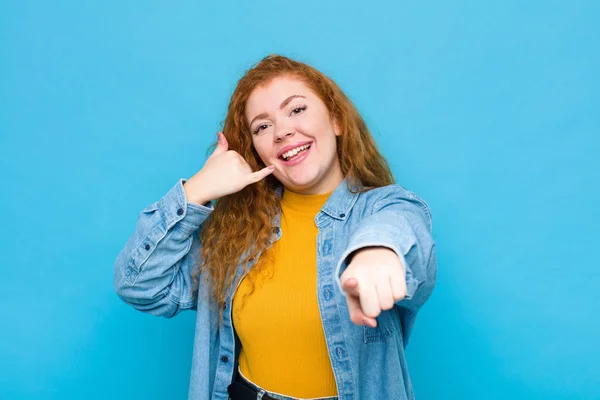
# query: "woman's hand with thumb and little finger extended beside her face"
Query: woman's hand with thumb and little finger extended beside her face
225,172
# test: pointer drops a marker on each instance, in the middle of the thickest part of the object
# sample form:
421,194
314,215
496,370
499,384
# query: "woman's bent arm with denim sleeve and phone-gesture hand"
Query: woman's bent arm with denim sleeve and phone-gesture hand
153,271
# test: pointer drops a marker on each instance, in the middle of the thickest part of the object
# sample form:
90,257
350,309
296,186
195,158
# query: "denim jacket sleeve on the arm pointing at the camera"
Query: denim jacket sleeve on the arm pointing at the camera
400,221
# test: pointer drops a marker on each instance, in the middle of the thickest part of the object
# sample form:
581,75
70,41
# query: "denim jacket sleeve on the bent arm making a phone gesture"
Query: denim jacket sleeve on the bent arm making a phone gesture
152,273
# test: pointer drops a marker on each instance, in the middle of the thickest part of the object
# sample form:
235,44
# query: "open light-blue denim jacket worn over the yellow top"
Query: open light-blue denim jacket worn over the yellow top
153,275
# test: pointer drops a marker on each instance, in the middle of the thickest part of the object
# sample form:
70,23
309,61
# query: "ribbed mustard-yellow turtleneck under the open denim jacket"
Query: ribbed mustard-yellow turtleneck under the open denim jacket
278,323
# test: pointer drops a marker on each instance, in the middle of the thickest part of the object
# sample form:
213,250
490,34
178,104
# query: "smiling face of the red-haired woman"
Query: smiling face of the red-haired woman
291,129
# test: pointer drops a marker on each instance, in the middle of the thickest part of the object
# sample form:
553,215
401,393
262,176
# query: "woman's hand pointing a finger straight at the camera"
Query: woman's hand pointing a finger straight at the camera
373,281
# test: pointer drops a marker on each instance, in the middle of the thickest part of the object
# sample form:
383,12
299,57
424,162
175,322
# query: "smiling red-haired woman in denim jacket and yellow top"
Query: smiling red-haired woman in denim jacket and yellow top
308,272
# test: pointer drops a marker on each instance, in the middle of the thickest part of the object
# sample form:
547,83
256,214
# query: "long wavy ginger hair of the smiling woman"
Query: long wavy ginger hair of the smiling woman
239,228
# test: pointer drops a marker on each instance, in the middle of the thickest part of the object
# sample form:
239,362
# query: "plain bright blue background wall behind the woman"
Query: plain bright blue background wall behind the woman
487,110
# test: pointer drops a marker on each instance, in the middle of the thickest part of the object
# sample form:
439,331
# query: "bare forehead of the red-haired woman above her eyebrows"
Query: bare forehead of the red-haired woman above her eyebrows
270,95
